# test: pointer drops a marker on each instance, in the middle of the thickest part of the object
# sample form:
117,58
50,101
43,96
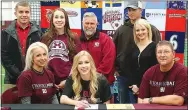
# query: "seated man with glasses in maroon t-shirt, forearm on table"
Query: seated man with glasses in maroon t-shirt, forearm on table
166,82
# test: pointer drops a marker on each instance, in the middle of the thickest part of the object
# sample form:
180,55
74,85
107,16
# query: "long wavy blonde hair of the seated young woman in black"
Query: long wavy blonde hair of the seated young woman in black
77,87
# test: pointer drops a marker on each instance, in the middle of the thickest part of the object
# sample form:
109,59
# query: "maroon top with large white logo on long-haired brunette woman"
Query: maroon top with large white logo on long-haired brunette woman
60,62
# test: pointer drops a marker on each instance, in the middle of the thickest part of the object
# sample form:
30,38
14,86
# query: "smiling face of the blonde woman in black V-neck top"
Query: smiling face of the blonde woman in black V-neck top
141,32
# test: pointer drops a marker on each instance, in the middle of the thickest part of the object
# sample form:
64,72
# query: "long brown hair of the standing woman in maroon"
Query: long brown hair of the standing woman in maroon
48,37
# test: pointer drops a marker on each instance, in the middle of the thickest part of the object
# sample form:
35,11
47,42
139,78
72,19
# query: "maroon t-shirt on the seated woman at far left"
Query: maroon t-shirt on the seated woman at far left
40,87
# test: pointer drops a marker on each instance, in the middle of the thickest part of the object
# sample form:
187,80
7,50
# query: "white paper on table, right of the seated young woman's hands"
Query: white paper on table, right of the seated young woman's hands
120,106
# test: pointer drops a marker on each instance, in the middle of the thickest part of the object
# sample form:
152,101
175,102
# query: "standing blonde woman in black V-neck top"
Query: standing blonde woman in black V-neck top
143,56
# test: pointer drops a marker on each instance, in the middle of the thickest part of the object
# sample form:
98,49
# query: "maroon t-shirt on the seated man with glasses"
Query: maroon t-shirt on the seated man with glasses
156,83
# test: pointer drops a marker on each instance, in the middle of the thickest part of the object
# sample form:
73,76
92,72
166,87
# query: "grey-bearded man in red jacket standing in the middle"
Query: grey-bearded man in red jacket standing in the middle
99,45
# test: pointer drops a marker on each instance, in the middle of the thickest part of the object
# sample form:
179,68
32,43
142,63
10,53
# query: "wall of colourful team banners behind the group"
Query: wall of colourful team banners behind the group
168,17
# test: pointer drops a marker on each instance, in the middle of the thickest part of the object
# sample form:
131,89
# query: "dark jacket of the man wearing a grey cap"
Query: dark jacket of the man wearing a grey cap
124,42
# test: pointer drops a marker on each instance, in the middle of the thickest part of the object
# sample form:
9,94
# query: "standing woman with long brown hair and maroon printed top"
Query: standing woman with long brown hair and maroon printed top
62,44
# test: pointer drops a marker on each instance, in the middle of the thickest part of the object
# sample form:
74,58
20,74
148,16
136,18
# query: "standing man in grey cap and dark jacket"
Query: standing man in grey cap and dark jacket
124,42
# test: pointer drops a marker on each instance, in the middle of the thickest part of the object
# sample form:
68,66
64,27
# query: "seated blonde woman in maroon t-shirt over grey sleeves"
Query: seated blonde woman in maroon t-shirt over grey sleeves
36,83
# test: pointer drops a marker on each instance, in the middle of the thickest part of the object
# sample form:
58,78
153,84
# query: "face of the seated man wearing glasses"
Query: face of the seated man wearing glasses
165,55
